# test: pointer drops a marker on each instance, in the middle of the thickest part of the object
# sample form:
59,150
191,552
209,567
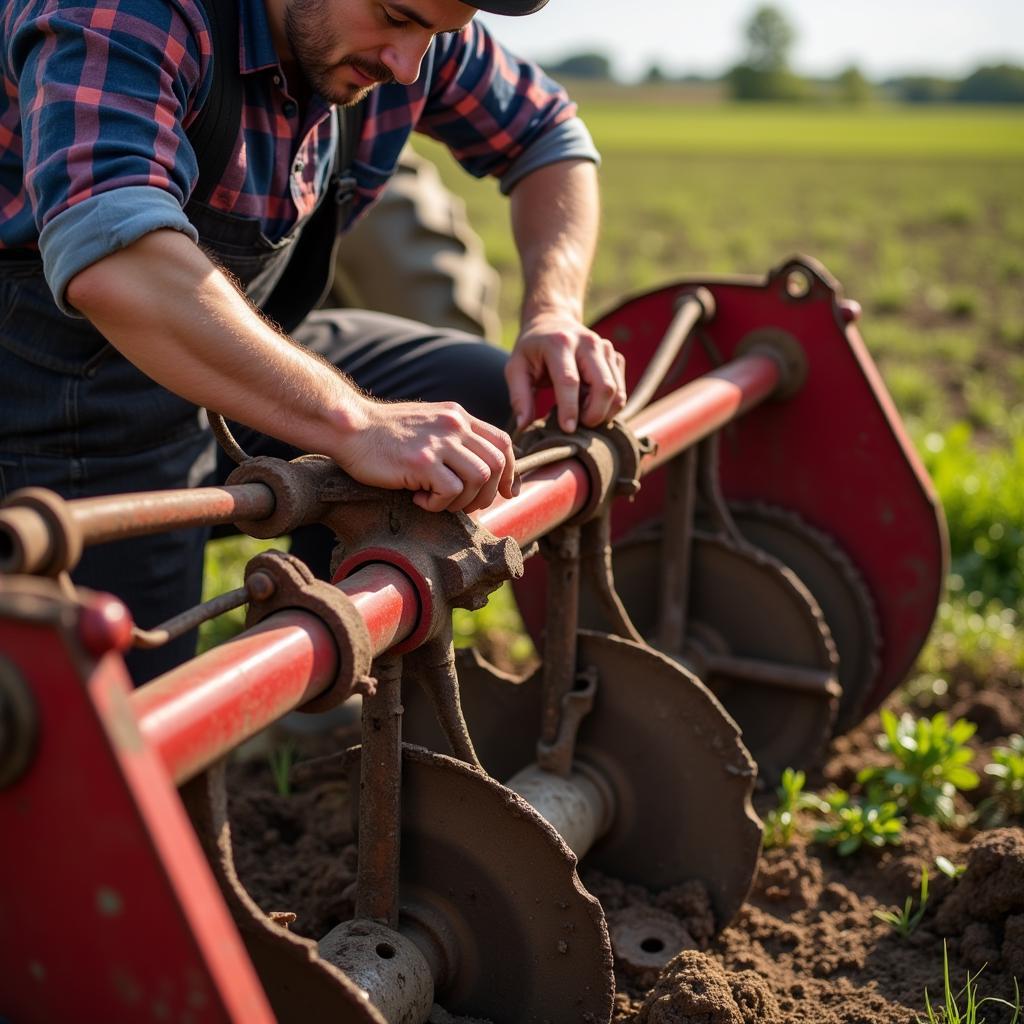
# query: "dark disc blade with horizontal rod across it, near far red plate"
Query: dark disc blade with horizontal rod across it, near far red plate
756,638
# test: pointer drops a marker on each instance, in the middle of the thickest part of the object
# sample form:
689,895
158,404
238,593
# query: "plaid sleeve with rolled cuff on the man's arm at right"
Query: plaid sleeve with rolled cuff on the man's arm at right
498,114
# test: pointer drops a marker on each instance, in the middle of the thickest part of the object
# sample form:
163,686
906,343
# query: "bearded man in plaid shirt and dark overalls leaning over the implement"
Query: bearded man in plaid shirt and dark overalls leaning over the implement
170,169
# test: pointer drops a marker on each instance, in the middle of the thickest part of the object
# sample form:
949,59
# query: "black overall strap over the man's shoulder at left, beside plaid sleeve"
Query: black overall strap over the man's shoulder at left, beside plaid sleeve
214,134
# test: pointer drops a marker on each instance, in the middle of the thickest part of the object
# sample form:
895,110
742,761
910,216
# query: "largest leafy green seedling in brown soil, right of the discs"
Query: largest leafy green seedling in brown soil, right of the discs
931,764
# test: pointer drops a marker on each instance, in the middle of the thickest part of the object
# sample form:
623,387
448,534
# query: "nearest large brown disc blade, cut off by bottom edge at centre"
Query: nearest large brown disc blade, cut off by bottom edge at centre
533,943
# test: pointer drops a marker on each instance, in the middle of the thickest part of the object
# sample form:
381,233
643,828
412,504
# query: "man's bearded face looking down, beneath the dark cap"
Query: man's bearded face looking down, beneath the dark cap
347,48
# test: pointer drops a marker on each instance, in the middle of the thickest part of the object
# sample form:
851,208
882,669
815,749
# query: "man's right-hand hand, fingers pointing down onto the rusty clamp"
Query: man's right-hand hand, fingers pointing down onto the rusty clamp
584,369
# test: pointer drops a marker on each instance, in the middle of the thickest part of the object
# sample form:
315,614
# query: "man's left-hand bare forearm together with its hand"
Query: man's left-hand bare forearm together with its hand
169,311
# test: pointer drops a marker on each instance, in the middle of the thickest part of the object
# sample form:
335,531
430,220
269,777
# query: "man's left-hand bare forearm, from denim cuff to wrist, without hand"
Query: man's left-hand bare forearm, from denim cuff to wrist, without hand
173,314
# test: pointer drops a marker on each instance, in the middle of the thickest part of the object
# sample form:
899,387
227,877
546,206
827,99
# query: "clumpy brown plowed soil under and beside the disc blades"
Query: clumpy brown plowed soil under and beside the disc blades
805,950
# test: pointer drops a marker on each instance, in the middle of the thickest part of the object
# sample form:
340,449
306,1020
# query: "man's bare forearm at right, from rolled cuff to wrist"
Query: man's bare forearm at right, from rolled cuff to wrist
556,218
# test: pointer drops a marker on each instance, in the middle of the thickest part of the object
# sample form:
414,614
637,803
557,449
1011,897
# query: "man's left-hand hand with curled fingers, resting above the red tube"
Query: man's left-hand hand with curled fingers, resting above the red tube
452,460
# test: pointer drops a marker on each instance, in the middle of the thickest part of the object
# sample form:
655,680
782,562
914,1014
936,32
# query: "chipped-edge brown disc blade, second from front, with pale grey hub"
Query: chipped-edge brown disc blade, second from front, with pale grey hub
680,778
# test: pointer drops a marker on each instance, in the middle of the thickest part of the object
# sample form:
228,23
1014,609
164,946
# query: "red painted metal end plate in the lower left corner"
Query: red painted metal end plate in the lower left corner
109,909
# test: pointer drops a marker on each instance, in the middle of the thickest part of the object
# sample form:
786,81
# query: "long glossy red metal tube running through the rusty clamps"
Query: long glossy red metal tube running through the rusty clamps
204,709
